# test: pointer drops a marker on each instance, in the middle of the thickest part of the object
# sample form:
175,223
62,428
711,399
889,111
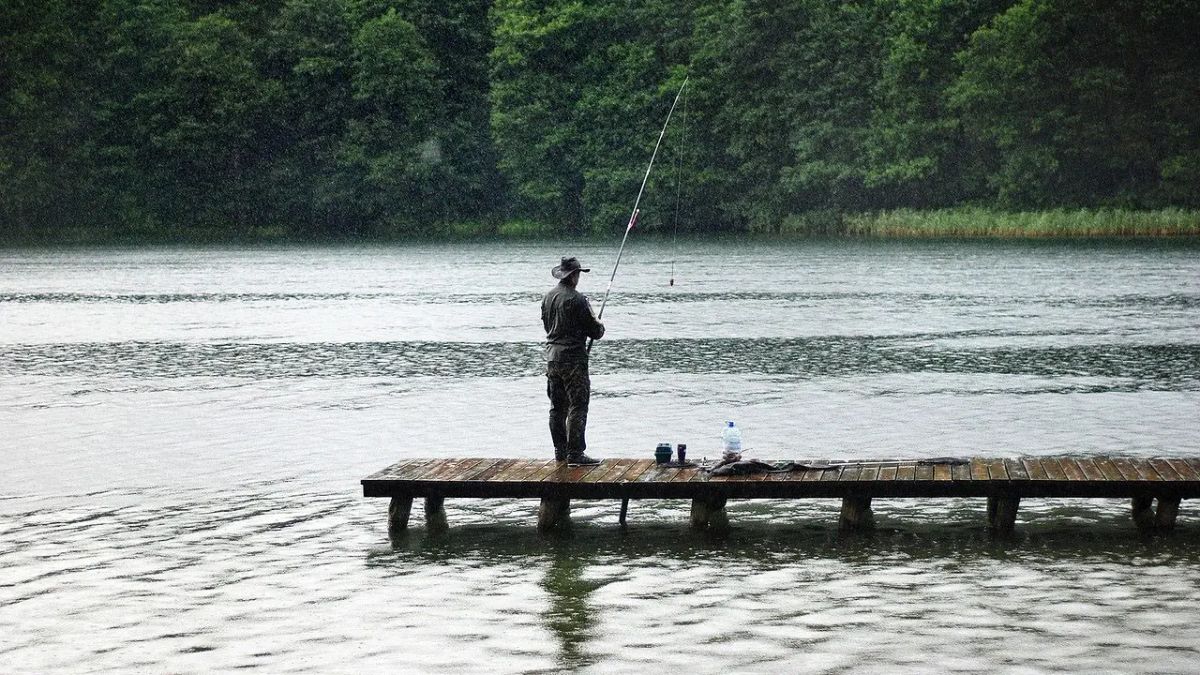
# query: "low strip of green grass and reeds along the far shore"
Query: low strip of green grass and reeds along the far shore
901,224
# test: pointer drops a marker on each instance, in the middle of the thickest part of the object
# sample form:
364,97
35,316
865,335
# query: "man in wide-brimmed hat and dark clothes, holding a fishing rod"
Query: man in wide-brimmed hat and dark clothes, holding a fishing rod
569,322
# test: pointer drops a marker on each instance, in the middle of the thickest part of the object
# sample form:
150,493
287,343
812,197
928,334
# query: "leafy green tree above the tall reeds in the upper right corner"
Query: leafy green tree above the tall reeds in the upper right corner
1061,98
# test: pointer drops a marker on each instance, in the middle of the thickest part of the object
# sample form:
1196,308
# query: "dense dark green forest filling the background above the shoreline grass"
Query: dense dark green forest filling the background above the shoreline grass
345,118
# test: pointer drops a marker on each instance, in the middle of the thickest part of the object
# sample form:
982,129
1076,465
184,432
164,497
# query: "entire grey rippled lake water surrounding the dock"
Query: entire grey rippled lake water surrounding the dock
185,429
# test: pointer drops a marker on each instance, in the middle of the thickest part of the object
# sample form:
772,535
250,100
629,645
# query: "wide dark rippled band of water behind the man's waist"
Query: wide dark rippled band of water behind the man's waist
1123,367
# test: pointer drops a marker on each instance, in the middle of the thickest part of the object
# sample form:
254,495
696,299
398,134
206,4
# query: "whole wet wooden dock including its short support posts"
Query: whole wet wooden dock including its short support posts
1155,486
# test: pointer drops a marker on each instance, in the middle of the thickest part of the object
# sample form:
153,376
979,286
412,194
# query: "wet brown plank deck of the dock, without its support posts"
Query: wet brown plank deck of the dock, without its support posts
641,479
